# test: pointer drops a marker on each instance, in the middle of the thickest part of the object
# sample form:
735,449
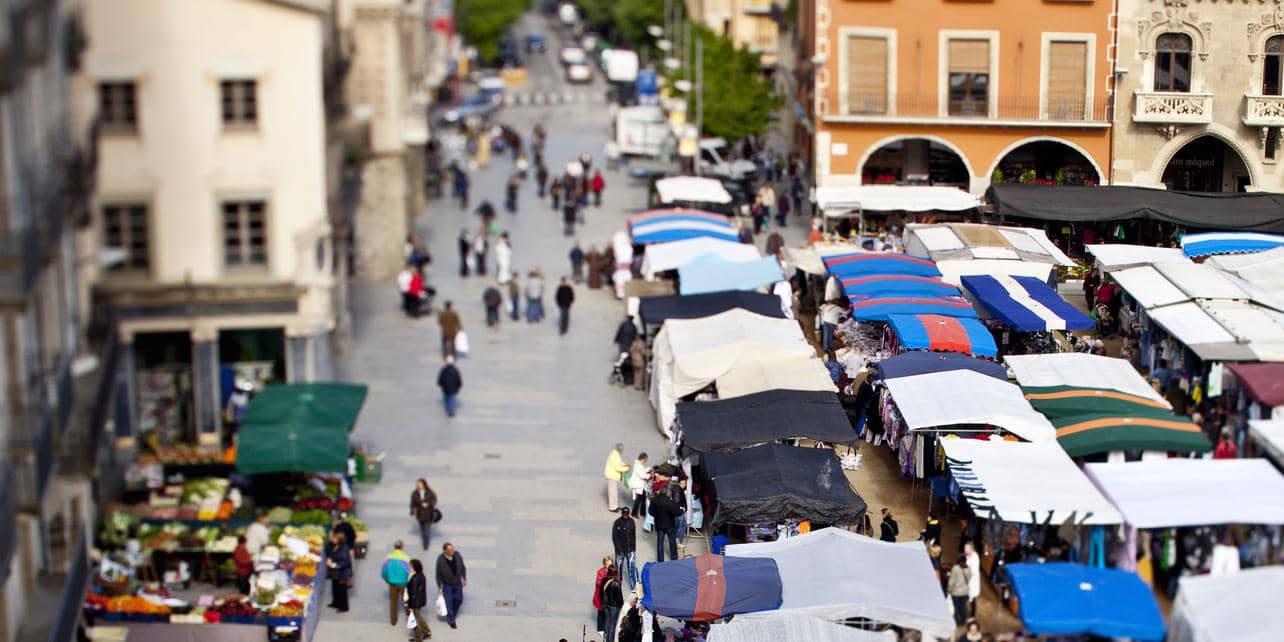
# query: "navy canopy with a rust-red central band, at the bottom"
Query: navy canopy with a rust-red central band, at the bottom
711,587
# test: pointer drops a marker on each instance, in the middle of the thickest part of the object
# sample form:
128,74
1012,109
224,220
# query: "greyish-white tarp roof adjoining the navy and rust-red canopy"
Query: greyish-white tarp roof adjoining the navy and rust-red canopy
837,576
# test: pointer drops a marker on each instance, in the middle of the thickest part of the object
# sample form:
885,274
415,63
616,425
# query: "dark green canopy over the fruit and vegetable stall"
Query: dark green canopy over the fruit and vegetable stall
299,428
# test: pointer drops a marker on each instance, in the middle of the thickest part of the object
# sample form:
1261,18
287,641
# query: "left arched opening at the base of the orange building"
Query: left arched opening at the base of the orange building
915,162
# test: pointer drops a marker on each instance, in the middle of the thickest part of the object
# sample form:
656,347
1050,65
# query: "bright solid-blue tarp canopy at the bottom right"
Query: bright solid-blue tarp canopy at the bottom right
1078,600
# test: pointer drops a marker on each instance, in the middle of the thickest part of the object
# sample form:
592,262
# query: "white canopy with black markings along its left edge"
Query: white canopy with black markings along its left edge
1023,482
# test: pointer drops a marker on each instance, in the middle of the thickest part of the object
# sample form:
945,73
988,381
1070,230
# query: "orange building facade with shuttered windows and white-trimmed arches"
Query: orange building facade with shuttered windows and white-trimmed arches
960,92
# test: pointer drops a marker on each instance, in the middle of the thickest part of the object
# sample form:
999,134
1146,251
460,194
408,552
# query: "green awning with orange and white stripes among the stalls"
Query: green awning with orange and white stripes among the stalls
1092,421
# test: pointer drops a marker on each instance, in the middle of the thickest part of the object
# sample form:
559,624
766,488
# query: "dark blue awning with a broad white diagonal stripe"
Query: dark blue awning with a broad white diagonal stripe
1025,304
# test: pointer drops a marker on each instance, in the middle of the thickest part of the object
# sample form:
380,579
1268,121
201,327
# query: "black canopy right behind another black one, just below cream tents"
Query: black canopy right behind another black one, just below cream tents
727,426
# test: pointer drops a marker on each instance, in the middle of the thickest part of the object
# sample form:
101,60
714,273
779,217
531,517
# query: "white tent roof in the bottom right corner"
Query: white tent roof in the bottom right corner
1244,607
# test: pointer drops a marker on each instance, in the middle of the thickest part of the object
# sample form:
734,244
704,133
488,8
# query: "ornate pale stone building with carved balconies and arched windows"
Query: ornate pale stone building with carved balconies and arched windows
1200,96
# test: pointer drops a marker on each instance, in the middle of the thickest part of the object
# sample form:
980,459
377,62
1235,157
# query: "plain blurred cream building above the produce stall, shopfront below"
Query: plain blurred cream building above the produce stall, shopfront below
214,183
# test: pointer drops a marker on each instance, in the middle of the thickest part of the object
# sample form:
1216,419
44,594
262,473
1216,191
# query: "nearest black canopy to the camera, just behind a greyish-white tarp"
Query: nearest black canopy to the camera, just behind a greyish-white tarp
774,485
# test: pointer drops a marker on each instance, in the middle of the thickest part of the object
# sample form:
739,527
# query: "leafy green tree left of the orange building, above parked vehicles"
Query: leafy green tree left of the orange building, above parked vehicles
739,100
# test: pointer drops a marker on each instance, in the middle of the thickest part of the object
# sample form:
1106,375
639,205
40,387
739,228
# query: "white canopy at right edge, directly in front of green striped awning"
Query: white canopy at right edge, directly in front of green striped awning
1170,494
